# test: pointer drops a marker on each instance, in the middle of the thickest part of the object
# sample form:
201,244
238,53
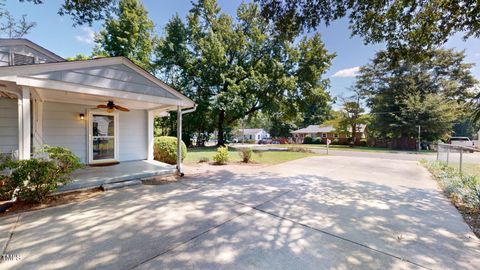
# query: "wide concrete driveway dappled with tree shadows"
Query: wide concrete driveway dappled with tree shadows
317,213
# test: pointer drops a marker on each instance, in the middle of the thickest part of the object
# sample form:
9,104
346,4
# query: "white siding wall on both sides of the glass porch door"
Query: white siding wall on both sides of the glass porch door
62,127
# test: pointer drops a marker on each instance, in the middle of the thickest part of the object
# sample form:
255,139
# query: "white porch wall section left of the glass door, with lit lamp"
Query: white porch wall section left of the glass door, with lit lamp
62,127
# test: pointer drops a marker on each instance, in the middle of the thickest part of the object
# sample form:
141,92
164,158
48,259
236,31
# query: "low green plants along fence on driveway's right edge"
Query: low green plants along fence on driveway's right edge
463,189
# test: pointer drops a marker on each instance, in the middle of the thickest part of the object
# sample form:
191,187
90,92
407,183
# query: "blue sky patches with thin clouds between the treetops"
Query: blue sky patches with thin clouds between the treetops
57,34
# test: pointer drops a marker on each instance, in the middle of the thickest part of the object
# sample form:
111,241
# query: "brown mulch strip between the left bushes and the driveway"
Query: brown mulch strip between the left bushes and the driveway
55,200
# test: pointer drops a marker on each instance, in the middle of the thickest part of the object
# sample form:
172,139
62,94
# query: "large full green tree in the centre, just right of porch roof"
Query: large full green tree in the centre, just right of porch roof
237,67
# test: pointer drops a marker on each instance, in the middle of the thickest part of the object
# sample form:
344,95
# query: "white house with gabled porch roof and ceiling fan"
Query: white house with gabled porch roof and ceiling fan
46,100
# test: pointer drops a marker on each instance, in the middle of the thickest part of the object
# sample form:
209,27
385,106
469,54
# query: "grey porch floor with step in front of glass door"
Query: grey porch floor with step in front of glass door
91,177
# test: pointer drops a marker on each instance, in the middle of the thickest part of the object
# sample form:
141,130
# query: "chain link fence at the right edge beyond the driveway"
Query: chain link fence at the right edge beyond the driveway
457,156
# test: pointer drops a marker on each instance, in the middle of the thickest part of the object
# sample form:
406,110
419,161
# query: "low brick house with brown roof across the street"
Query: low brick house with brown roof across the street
325,132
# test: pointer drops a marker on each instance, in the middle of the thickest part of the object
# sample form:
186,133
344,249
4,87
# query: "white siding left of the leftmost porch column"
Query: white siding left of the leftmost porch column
8,125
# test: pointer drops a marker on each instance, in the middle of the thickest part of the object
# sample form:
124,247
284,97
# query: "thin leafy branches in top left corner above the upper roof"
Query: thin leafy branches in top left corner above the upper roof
11,27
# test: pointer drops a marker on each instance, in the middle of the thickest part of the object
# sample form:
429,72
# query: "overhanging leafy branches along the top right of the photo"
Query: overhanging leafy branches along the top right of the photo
420,24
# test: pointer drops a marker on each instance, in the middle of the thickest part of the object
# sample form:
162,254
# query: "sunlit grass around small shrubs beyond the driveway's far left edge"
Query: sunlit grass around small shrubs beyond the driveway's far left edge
265,157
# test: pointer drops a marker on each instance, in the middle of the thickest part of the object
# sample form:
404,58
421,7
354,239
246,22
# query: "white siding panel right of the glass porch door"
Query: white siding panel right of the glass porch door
132,129
